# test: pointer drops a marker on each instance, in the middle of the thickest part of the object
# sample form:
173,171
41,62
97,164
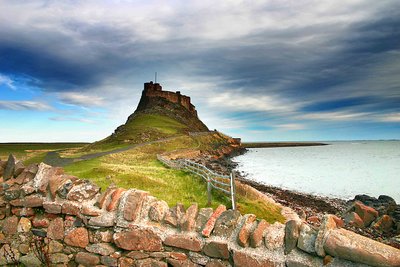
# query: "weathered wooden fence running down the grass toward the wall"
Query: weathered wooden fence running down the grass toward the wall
223,183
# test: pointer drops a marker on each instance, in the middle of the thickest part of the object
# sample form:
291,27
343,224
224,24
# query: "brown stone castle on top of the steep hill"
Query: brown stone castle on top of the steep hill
155,90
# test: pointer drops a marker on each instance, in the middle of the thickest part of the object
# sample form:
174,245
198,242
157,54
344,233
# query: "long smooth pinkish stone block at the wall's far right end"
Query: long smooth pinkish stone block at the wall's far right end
347,245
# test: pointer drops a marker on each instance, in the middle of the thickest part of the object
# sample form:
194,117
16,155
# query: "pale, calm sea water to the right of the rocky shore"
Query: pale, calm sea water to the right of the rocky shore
341,169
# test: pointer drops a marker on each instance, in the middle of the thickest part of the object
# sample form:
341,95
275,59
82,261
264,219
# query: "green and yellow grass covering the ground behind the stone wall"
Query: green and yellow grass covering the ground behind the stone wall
139,167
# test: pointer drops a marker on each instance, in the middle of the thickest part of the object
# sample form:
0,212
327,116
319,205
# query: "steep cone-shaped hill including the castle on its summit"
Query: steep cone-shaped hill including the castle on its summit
159,114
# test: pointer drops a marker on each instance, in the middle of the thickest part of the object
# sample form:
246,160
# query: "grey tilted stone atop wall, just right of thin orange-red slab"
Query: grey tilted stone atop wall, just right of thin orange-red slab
226,223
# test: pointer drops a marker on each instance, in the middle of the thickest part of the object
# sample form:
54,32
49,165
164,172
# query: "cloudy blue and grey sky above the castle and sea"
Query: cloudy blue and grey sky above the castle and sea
272,70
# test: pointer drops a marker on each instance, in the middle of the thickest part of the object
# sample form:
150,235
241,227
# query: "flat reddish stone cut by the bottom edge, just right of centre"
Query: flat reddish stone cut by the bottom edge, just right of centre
243,259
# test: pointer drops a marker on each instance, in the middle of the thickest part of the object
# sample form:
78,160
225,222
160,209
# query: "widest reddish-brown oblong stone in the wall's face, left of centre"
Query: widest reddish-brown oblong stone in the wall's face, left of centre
138,239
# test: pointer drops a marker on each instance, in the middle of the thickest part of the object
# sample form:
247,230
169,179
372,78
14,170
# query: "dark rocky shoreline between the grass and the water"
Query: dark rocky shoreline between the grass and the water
376,218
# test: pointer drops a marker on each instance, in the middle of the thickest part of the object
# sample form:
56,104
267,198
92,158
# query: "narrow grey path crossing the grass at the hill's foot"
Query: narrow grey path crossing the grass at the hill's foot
53,158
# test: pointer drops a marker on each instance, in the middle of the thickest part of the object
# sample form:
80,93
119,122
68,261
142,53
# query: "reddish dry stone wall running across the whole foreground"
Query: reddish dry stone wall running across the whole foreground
49,217
